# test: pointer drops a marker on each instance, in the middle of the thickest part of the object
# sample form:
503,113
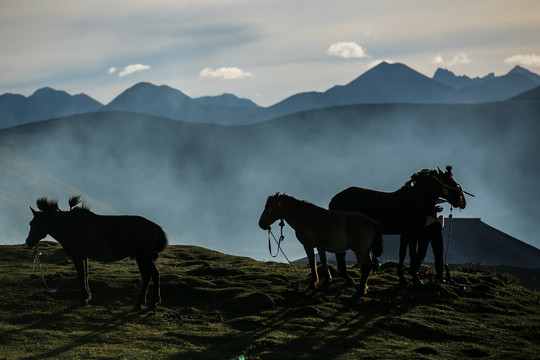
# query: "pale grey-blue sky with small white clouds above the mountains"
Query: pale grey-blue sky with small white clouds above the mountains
258,49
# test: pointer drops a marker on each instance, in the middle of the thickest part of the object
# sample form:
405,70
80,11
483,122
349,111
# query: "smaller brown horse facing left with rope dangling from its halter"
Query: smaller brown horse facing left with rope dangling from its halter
332,231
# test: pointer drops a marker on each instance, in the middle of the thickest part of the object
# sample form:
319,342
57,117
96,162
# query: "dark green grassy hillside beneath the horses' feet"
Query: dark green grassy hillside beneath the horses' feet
218,306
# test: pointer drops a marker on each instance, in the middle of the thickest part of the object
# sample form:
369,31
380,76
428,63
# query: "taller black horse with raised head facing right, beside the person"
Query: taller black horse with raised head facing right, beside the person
402,212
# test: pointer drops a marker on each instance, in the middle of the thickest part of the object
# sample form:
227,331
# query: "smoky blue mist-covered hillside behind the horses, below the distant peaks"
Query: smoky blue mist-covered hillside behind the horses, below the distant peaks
206,184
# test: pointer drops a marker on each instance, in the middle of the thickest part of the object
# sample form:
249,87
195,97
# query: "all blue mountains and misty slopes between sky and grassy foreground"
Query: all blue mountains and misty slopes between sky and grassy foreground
156,152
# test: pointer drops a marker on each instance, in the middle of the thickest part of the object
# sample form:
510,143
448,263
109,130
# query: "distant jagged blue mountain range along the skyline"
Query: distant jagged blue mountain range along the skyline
385,83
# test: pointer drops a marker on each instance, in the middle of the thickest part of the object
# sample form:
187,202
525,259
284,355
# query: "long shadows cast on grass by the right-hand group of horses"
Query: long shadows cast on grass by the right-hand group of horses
323,323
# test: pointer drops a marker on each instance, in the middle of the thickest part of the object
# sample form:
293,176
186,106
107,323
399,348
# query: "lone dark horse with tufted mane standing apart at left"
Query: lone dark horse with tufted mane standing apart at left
85,235
